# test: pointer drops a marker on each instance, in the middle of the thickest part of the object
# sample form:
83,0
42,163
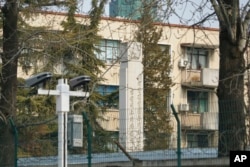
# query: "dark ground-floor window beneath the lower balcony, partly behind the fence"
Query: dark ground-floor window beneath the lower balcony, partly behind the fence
197,140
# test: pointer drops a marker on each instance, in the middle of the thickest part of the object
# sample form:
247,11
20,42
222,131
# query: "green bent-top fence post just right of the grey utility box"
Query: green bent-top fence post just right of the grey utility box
89,138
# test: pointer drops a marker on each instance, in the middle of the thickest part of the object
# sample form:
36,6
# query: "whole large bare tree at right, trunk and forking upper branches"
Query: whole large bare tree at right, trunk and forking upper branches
234,35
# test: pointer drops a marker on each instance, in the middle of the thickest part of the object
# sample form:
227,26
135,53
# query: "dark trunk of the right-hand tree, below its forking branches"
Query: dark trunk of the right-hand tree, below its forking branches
232,131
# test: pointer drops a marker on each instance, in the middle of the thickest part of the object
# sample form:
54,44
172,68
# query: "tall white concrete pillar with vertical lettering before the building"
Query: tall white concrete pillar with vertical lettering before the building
131,97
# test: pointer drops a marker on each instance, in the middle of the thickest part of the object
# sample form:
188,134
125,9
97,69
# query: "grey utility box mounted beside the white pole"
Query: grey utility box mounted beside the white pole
75,131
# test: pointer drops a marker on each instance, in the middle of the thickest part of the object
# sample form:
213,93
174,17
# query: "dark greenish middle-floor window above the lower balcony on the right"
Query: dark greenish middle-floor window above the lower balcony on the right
198,101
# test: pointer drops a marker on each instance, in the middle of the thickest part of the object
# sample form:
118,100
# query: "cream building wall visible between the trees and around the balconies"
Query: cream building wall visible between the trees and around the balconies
178,37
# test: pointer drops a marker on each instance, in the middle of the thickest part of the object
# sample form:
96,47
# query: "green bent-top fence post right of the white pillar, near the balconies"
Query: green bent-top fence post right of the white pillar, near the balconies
178,136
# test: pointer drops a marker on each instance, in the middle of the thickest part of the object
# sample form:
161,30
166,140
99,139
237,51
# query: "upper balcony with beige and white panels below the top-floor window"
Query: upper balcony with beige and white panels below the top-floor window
205,77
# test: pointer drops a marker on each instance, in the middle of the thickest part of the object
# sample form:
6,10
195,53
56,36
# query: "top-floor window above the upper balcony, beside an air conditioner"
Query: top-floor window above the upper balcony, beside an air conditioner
197,57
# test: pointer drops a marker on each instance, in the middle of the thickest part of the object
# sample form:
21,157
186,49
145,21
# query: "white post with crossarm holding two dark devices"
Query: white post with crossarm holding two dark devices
62,94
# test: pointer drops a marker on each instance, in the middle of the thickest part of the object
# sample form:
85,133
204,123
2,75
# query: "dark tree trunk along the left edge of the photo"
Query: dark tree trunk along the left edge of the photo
8,83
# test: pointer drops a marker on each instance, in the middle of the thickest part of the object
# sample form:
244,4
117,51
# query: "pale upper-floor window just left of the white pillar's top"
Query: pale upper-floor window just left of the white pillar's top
109,50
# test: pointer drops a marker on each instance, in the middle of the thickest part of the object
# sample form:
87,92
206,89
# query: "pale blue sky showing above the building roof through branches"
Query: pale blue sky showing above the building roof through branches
186,13
